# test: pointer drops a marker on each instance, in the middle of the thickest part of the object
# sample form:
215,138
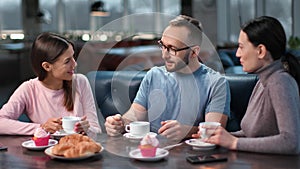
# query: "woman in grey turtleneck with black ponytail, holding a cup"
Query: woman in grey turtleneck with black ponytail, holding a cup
272,121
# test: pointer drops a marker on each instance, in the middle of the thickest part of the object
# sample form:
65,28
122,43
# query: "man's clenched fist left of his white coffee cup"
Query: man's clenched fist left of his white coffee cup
114,125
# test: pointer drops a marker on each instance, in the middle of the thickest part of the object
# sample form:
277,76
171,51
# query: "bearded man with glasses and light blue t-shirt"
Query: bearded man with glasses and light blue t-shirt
176,97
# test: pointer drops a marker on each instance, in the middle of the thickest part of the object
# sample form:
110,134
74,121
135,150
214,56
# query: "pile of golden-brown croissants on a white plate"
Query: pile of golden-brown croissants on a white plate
76,145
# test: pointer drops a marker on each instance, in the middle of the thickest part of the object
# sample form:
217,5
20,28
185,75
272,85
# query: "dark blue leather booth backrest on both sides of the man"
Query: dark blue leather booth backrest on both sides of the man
115,90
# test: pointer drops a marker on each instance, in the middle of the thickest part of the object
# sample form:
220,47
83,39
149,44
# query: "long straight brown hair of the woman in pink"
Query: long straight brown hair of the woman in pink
48,47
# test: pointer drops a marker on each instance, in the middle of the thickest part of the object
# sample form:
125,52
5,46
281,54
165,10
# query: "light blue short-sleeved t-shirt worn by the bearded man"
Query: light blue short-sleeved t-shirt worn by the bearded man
183,97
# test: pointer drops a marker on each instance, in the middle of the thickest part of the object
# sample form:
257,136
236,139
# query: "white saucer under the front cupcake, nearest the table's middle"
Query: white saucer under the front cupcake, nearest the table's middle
160,154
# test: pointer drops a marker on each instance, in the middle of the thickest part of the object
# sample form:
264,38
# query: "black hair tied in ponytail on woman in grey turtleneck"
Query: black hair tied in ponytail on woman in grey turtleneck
268,31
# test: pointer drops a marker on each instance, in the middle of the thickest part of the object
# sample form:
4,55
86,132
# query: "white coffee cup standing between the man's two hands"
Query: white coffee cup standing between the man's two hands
138,128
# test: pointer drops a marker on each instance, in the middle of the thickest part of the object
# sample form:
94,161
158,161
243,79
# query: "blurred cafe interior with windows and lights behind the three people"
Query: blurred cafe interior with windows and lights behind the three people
22,20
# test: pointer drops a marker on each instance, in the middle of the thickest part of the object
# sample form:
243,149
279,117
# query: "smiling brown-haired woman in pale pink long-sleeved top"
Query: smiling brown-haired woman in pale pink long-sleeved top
55,92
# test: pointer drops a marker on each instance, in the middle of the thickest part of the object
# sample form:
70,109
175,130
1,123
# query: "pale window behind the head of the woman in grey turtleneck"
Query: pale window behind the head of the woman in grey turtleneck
233,13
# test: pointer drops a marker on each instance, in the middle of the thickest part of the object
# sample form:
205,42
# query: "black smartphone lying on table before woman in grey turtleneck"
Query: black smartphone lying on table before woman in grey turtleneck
200,159
